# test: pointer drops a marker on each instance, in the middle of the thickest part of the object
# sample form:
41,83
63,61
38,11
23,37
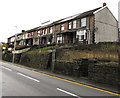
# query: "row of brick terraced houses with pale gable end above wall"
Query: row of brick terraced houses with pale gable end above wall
93,26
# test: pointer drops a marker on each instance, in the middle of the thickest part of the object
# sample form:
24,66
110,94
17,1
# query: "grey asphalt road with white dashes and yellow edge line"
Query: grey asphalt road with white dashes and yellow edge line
19,81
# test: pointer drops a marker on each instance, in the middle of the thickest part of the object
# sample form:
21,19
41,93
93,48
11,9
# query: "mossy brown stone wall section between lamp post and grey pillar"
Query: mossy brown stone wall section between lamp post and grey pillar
36,60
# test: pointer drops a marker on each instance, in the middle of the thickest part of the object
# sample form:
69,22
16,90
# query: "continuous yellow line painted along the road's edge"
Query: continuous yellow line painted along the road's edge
110,92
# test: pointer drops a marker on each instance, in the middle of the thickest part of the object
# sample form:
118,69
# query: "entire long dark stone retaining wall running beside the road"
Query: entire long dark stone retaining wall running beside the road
89,68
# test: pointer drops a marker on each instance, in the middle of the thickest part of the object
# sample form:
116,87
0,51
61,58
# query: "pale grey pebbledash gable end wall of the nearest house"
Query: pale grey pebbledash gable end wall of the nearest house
106,26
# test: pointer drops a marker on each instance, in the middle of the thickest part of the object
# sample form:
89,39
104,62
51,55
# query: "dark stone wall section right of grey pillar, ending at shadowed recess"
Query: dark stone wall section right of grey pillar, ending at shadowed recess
78,68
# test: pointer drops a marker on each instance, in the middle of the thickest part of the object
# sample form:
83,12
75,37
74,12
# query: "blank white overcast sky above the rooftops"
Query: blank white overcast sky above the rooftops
28,14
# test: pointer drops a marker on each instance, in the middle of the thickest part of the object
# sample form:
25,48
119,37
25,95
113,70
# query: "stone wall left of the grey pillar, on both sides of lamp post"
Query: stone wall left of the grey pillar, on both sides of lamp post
35,60
